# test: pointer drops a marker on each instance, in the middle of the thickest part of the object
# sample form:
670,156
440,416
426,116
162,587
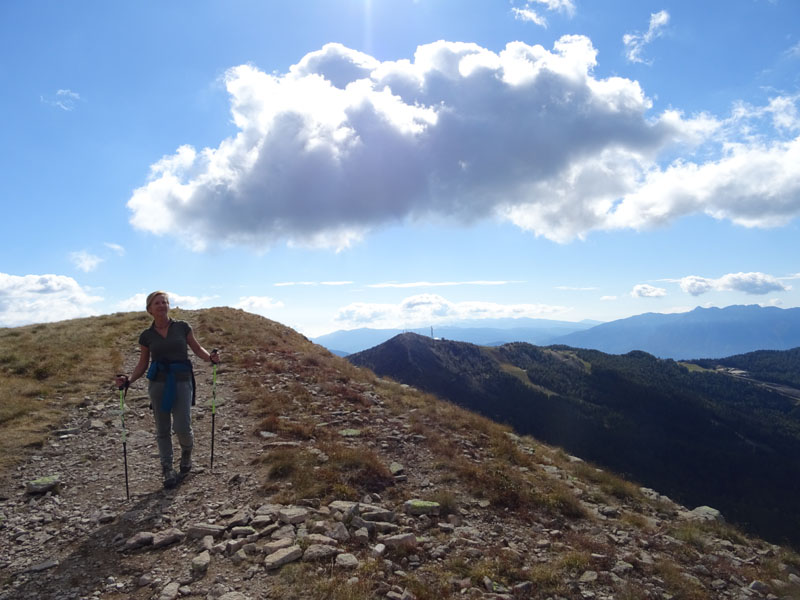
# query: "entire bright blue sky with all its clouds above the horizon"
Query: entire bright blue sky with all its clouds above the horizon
334,164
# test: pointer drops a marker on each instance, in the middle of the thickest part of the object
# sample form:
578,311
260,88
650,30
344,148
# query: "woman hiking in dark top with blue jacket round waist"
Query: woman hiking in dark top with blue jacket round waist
164,356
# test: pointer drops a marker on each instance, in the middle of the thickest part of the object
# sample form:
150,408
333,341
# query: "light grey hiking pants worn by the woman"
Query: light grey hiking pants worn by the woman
179,419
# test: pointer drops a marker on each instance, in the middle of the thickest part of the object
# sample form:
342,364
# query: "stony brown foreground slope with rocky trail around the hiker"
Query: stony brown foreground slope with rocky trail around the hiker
221,534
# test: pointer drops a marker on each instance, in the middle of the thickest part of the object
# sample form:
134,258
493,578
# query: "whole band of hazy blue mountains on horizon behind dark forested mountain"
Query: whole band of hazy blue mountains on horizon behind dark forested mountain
701,333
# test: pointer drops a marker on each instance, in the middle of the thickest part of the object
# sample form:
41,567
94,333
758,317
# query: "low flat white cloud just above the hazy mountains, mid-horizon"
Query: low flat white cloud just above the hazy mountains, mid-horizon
429,309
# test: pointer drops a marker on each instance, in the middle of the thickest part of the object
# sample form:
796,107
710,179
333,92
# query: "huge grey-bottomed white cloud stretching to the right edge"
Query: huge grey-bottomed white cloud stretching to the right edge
342,144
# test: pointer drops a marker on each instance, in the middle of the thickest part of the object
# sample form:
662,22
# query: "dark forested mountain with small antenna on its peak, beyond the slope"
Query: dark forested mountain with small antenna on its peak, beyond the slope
700,435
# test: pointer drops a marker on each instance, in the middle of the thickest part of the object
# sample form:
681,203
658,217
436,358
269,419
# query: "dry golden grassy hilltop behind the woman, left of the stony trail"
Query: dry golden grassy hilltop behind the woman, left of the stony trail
48,368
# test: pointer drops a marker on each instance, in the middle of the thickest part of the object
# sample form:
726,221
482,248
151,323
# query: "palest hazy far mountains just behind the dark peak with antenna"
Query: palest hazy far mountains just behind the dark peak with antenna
486,332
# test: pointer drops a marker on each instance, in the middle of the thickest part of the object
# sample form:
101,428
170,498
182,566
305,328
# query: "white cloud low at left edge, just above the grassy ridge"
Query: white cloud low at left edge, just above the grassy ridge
43,298
